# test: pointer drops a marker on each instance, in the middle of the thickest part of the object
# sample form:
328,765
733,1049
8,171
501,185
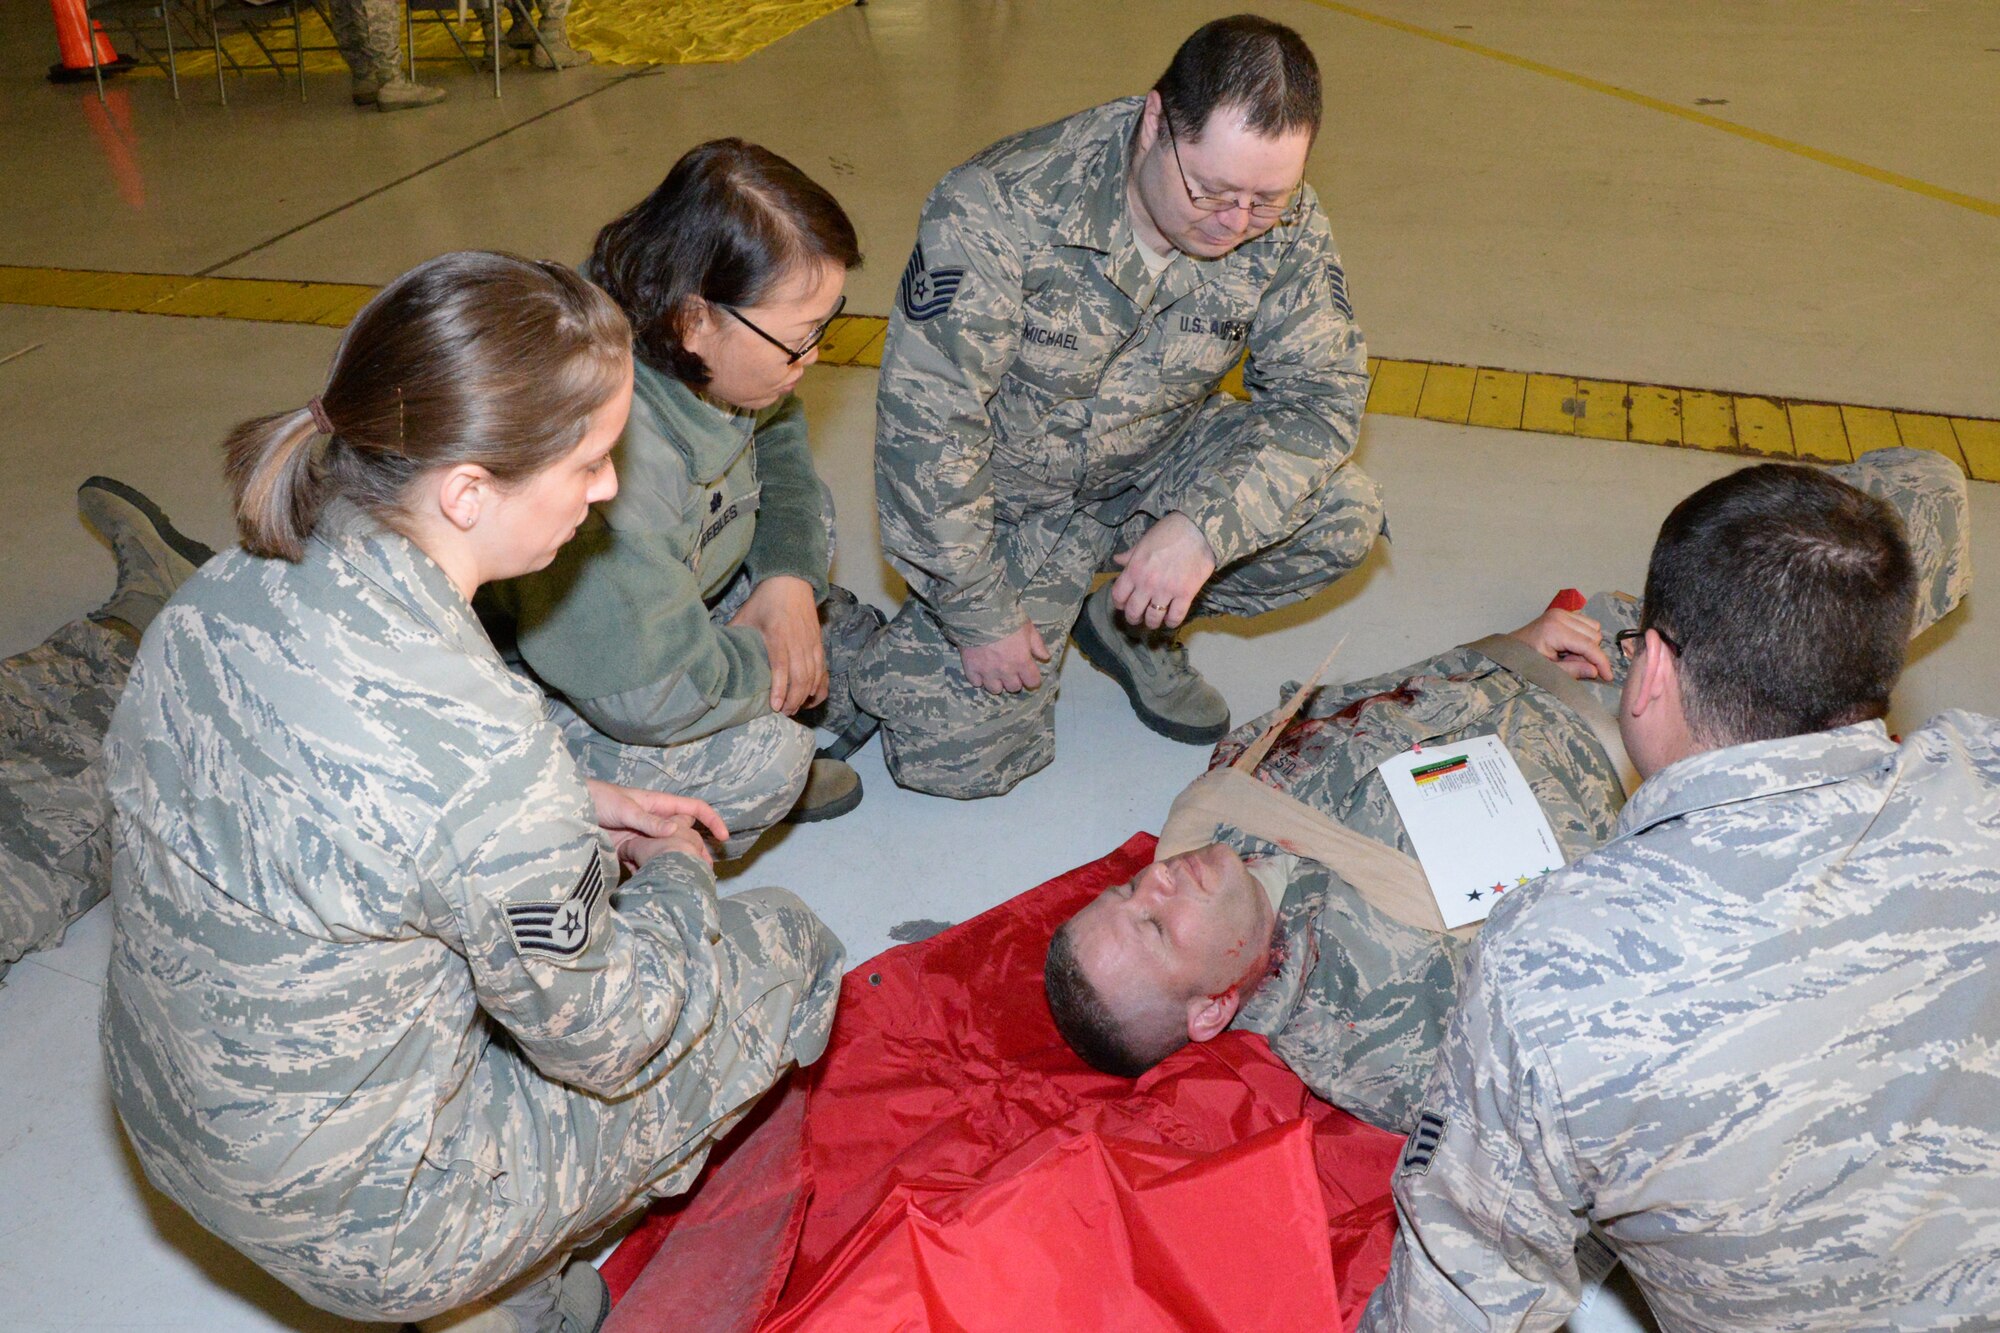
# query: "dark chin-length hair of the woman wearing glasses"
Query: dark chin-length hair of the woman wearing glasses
729,223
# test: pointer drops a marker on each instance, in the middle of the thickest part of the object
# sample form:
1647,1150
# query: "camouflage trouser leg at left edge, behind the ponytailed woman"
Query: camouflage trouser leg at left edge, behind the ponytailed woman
55,838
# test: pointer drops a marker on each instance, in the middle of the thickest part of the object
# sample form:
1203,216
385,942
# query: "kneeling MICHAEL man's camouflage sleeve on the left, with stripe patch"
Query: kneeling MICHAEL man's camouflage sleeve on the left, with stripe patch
951,339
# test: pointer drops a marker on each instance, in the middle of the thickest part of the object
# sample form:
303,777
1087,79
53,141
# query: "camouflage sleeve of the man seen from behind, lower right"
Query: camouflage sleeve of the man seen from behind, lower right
1487,1196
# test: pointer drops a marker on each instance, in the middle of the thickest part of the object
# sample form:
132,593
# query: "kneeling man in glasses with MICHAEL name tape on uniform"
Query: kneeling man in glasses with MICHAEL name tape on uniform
1051,411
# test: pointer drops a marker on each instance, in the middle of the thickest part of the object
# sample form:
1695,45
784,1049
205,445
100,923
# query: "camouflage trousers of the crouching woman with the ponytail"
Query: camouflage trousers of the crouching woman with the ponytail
541,1168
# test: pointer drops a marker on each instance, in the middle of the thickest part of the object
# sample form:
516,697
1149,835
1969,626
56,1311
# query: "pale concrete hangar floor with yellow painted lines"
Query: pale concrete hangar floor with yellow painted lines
1599,253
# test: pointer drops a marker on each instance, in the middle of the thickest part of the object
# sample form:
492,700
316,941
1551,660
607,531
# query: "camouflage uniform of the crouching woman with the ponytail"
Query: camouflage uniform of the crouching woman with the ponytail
379,1012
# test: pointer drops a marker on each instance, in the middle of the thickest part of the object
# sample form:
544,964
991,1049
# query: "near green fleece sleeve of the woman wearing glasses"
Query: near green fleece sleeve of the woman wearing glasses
621,617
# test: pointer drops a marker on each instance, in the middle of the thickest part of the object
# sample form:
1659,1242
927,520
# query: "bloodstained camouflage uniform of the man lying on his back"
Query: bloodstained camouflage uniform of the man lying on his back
1361,1002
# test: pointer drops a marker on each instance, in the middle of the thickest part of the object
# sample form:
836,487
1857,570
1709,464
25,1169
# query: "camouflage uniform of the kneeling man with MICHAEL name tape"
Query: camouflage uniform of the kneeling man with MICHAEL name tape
1045,403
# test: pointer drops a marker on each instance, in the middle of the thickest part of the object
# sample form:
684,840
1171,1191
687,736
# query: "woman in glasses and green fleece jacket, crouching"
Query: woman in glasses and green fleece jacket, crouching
693,615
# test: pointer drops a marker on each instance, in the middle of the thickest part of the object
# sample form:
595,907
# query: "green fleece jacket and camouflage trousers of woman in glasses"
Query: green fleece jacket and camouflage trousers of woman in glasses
631,627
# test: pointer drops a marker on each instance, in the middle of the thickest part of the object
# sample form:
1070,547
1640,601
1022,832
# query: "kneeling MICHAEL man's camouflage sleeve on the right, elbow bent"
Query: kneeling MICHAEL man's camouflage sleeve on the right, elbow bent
1309,381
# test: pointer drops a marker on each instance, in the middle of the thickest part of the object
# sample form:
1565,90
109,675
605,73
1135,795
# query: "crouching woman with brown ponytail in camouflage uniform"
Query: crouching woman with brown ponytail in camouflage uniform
373,1014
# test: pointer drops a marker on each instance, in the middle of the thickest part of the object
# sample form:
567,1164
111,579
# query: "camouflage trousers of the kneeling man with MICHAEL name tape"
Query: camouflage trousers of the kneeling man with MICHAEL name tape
947,738
